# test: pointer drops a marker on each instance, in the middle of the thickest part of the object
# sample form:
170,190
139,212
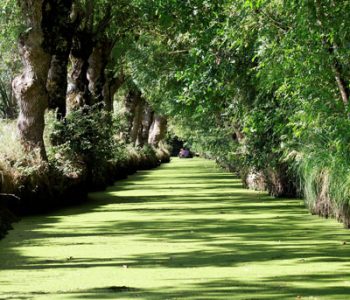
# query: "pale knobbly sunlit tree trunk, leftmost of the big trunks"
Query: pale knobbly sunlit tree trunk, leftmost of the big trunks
30,87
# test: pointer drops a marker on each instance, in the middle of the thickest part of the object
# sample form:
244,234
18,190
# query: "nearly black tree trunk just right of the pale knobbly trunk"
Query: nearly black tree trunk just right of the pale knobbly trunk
60,37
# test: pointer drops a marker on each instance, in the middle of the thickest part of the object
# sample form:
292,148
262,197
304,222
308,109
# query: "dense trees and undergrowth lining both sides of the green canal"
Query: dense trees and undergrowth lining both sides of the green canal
261,86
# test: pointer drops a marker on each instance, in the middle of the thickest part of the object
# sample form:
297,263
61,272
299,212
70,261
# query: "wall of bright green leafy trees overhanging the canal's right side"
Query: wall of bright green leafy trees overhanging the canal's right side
262,86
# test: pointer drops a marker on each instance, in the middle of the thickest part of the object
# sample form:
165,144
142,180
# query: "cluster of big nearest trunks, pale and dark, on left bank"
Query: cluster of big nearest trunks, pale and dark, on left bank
60,32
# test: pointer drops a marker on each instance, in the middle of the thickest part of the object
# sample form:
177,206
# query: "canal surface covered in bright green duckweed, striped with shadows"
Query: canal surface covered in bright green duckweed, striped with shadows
184,231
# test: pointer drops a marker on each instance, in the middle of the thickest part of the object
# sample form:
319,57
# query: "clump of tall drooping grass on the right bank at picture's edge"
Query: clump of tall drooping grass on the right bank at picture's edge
323,162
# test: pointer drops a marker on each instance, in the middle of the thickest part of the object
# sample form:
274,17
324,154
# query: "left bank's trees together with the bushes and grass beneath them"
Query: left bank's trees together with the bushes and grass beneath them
71,57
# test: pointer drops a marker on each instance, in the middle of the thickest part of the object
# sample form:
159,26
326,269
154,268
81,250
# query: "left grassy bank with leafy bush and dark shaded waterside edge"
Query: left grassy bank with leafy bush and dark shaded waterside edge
81,159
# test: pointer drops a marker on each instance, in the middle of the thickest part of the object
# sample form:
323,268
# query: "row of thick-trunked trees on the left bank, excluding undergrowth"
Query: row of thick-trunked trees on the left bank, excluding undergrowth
73,54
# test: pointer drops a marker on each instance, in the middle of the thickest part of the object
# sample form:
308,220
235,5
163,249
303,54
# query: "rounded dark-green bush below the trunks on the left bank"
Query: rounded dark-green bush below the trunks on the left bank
86,136
